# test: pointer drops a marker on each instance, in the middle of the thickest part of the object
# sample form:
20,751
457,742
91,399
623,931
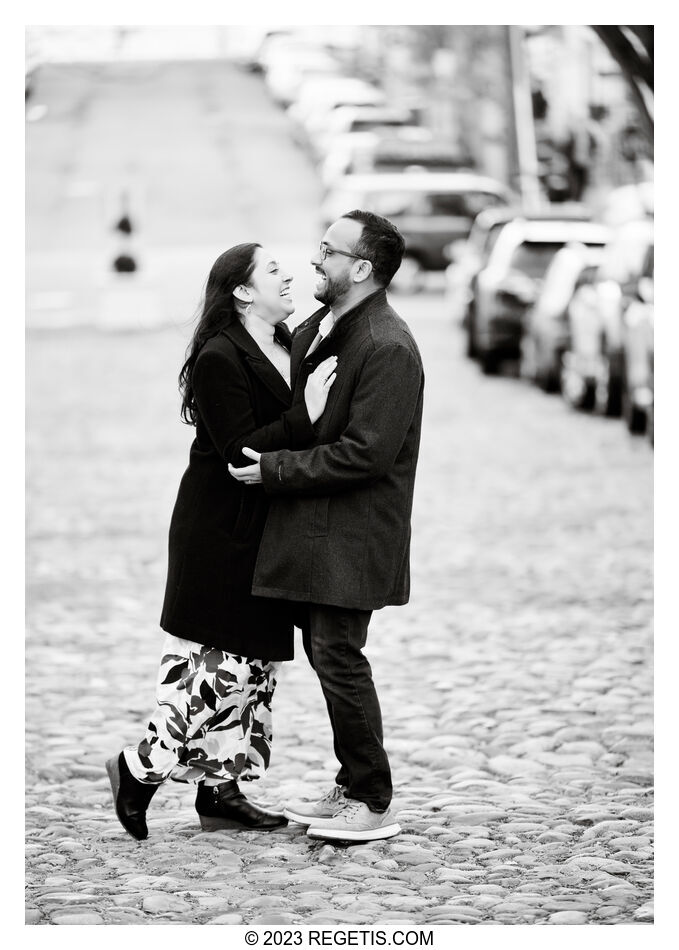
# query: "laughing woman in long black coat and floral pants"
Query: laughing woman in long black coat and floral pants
224,647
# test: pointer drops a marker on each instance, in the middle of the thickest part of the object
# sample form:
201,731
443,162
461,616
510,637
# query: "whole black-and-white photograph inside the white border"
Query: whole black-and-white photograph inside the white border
339,476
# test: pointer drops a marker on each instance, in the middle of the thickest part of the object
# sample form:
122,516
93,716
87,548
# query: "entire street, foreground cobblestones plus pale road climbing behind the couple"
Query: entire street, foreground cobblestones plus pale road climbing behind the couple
516,686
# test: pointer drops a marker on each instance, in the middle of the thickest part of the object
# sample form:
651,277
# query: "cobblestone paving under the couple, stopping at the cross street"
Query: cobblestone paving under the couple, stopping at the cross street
516,685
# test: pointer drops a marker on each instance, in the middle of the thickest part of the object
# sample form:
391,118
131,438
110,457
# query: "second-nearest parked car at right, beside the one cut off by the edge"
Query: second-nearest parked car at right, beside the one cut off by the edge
592,365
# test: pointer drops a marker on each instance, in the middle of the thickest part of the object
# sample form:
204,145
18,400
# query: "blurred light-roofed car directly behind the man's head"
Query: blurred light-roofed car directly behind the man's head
430,209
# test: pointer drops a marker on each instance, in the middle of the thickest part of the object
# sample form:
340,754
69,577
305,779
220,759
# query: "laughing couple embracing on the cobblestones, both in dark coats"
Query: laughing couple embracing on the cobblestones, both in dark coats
294,511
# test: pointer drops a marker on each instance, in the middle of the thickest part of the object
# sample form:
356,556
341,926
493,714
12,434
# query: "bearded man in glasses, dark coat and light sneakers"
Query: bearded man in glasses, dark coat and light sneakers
337,536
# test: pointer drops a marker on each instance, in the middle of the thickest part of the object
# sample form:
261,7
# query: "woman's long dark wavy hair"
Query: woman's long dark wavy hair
218,310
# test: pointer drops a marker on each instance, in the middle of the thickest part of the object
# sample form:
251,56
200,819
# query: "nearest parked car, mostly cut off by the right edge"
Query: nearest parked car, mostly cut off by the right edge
637,353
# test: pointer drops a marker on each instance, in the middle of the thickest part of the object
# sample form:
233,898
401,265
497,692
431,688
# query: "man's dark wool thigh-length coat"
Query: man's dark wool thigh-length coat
338,528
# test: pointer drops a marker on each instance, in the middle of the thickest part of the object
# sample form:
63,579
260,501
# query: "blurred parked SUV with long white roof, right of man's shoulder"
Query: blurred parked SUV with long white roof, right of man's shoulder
511,279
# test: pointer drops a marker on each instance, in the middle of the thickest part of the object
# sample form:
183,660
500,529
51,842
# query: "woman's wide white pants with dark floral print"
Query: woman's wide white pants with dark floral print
213,718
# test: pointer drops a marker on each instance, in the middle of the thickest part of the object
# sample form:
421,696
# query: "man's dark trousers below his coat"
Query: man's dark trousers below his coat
333,639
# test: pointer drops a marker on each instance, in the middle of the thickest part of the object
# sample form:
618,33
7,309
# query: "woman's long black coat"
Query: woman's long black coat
217,522
